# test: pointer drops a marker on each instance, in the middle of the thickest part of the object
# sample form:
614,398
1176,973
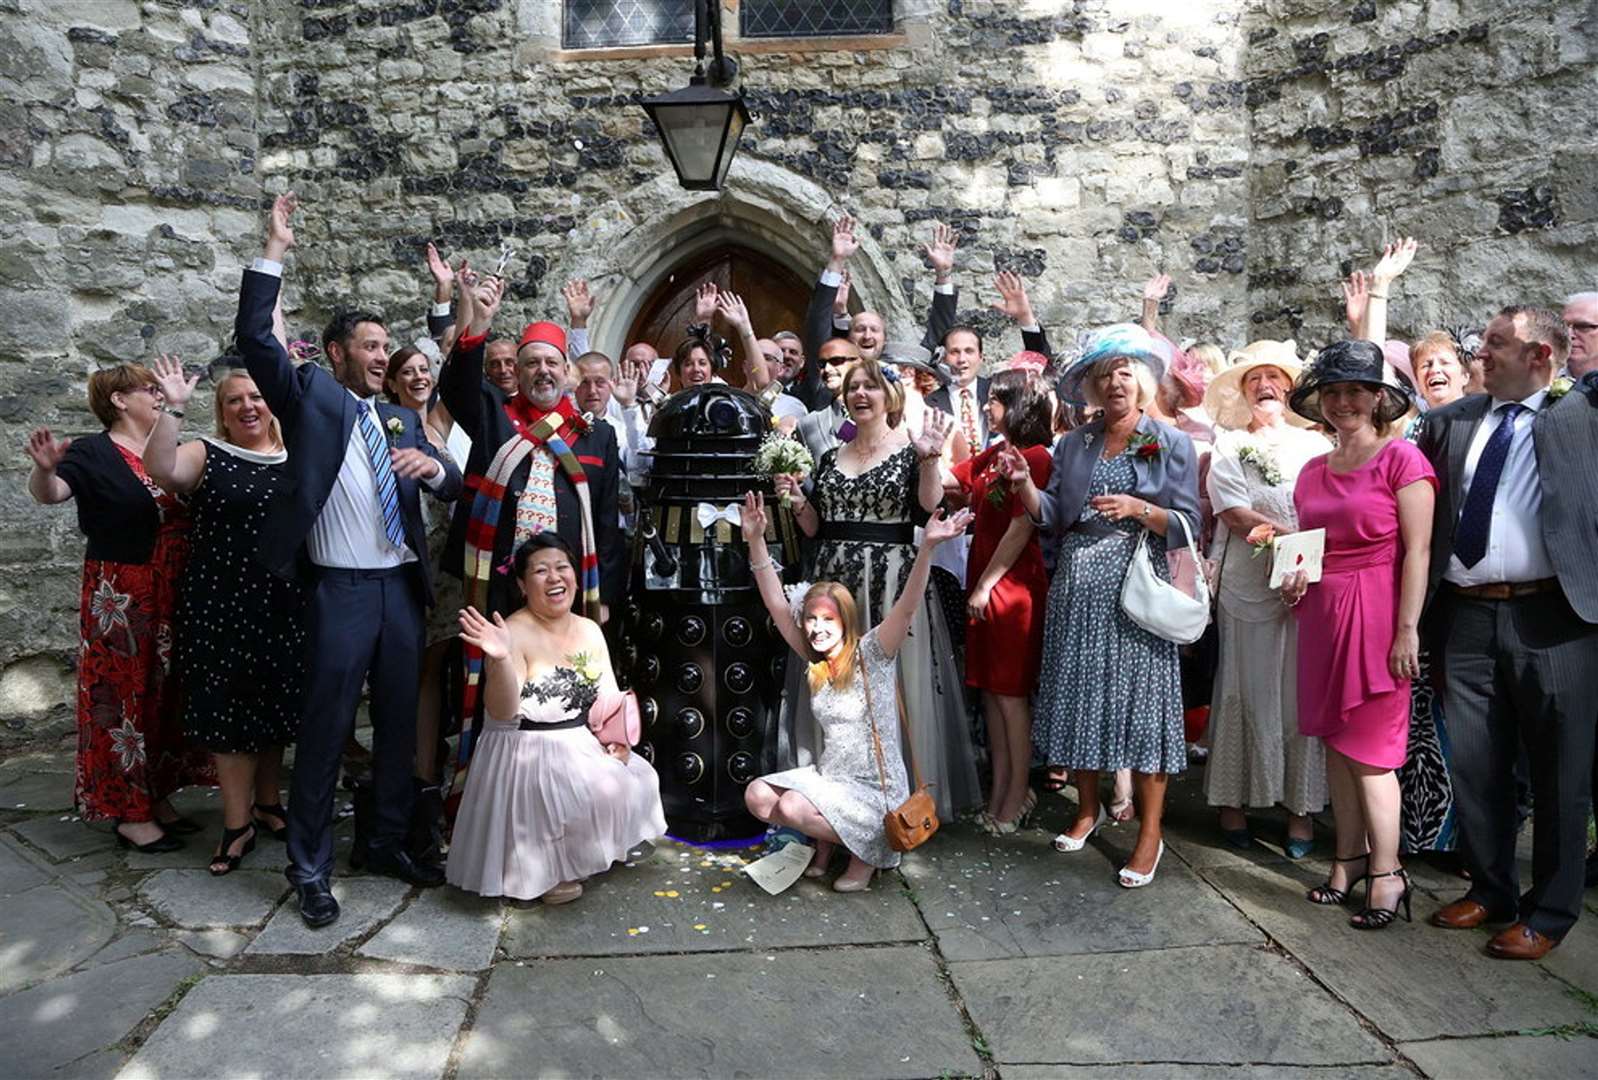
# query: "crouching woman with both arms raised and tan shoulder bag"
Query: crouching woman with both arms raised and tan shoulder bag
854,691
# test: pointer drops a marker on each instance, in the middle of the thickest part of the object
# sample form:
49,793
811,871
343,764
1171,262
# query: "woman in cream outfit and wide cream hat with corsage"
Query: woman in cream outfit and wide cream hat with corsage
1257,753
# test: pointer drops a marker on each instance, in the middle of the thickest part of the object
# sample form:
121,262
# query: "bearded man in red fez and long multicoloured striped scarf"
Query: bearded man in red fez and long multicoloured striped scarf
536,466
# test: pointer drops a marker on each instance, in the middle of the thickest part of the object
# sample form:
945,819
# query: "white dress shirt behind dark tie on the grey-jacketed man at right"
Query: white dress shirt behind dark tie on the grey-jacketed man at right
1516,547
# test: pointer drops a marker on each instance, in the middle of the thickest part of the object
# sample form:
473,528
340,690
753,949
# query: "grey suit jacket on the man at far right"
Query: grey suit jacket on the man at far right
1565,435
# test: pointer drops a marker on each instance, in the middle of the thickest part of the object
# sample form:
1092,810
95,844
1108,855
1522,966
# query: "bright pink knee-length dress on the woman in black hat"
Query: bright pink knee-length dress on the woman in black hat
1348,621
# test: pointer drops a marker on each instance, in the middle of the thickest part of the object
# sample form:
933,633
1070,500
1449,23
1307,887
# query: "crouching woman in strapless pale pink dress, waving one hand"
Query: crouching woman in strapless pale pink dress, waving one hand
546,803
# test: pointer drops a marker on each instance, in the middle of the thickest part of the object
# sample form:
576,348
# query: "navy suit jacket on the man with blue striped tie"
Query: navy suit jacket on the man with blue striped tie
317,416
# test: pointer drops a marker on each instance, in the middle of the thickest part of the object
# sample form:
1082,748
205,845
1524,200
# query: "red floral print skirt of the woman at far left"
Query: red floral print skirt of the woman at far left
130,736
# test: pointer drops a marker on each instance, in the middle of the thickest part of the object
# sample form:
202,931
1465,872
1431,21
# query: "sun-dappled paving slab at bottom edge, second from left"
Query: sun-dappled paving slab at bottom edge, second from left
298,1026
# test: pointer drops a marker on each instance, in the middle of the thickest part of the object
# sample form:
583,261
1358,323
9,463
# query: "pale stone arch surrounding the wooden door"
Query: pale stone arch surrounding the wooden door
765,207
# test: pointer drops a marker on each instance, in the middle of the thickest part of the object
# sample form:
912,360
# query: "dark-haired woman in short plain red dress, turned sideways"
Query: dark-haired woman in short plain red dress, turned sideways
1006,586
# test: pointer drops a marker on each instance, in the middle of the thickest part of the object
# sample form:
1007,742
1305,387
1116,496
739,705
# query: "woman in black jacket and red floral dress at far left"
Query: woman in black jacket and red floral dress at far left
130,742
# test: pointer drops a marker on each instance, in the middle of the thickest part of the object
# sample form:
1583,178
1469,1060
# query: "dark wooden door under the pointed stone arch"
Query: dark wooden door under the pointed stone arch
776,296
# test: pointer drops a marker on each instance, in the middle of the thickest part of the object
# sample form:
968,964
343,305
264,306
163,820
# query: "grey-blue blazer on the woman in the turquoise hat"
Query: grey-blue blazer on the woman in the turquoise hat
1169,480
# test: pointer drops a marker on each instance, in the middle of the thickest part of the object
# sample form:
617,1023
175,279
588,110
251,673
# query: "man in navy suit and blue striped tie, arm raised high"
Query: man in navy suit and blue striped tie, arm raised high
351,526
